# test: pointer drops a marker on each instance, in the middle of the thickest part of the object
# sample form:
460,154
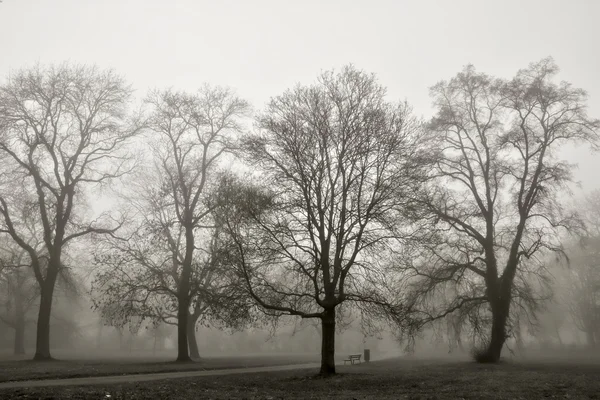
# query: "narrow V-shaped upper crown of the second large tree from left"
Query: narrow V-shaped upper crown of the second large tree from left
194,130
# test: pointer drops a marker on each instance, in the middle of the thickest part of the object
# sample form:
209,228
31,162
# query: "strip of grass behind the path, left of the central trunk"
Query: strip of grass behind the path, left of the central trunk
19,370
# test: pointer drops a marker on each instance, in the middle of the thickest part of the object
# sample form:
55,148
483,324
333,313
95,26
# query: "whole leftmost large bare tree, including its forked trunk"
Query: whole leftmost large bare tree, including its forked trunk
63,129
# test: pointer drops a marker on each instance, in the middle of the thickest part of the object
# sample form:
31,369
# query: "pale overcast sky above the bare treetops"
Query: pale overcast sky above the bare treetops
260,48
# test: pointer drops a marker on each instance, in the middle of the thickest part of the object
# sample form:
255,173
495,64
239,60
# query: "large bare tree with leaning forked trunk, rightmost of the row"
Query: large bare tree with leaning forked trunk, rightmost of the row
493,199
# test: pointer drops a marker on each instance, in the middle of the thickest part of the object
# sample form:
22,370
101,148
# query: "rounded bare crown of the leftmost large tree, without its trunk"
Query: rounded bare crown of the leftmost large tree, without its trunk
66,121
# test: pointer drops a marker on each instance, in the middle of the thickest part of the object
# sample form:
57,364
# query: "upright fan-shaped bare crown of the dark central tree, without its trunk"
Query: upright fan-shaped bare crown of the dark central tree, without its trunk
335,155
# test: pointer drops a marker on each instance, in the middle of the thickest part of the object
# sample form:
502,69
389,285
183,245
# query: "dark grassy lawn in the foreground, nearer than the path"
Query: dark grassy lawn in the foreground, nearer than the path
390,379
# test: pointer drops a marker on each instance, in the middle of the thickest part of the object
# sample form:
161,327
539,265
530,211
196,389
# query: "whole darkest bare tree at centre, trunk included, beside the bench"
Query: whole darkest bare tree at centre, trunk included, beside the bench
333,160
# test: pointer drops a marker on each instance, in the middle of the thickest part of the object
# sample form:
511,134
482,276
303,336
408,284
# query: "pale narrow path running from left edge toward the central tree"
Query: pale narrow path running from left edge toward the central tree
116,379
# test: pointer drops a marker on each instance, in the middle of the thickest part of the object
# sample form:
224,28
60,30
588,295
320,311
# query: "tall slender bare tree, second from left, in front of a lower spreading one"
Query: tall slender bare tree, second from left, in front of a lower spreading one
191,134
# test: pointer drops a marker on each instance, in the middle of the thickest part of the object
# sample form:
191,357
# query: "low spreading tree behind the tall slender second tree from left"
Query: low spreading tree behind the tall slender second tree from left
139,279
